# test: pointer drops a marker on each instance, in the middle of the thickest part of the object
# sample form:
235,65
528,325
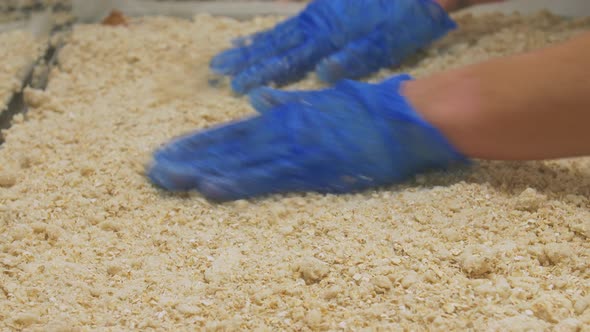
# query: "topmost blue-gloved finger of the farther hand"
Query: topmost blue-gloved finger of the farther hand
260,46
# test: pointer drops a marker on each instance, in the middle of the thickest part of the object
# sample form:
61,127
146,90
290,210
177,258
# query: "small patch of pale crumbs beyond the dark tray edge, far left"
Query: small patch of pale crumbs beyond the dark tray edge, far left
18,50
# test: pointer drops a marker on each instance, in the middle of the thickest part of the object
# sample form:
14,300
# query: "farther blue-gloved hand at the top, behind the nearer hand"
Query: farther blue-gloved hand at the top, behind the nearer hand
338,38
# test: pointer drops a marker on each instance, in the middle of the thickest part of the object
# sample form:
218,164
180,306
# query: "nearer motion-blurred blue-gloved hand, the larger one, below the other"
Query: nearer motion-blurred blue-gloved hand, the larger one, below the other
343,139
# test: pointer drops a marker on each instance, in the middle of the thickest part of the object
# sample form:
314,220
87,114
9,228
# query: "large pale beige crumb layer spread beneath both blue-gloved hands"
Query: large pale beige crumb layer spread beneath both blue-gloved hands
86,243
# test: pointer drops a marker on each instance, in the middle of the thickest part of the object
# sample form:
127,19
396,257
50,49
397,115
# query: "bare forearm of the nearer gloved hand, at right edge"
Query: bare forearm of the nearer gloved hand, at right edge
524,107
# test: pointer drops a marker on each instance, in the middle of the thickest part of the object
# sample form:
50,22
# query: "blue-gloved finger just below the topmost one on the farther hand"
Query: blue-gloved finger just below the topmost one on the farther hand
282,69
